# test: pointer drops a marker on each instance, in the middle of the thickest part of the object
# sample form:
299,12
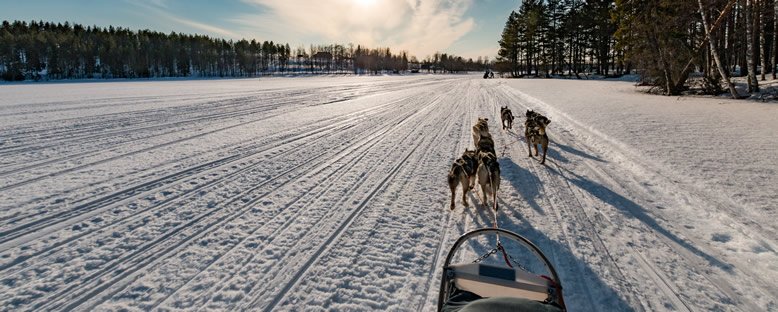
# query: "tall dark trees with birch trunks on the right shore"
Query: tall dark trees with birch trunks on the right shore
667,42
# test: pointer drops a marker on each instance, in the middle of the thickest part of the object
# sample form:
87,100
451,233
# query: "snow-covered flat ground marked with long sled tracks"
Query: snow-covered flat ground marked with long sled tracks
330,193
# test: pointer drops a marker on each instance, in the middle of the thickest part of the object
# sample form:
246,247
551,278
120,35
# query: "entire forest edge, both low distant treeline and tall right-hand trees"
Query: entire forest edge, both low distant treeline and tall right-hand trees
673,45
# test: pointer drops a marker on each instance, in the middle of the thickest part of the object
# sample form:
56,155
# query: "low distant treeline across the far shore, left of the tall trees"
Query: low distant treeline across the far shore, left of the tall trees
49,51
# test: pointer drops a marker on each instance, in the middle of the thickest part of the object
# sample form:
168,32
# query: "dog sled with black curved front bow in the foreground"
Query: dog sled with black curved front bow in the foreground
479,286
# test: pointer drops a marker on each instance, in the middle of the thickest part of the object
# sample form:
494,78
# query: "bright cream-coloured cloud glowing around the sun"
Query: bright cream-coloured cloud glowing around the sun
421,27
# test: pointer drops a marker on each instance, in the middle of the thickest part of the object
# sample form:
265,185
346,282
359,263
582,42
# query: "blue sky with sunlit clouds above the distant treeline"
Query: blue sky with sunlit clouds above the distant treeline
468,28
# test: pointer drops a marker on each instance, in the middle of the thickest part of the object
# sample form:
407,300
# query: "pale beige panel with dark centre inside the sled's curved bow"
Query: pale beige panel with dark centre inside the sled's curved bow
487,280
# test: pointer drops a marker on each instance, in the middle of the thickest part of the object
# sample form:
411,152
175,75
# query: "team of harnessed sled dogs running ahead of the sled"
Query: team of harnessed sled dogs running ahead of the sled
482,162
